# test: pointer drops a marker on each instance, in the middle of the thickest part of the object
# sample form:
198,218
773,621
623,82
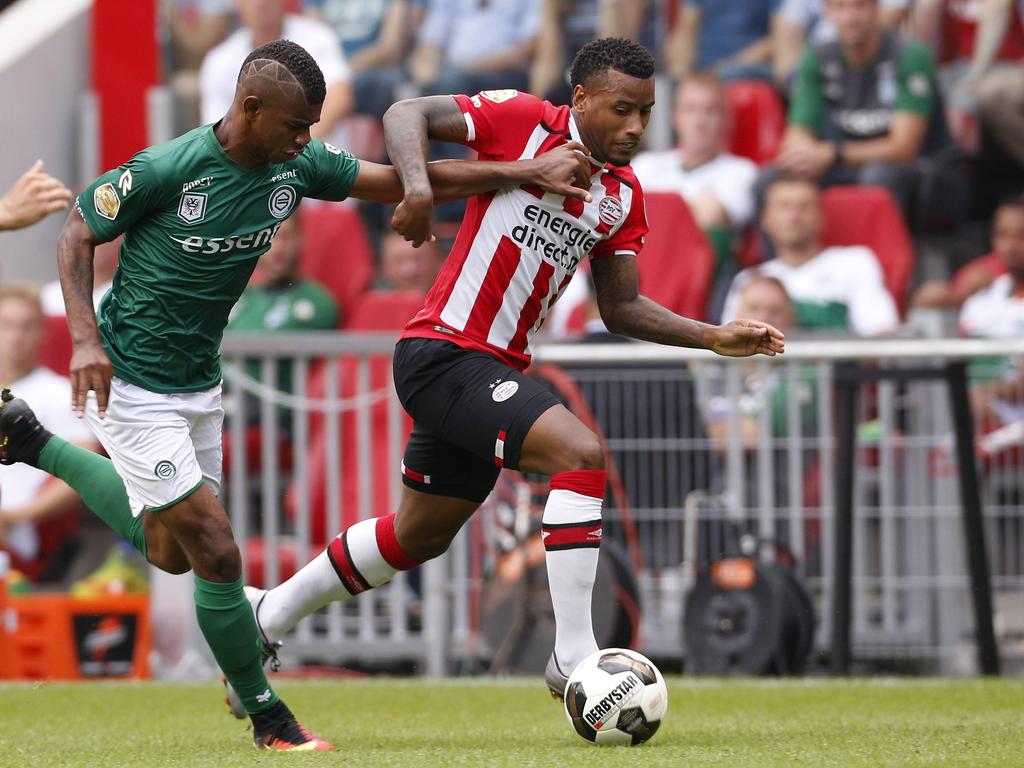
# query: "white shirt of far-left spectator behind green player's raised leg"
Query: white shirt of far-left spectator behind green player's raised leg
50,397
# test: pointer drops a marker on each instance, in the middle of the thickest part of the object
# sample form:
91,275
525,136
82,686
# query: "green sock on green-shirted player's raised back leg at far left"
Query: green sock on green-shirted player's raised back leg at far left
94,478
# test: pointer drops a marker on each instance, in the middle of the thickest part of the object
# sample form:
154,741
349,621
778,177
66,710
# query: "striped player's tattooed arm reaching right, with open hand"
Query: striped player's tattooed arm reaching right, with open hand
626,312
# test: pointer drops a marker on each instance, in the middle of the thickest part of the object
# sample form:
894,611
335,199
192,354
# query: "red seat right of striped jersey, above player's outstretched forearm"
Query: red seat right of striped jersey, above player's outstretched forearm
677,265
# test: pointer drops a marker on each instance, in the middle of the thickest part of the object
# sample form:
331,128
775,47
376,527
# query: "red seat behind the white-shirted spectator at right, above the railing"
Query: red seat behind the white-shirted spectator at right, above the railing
870,217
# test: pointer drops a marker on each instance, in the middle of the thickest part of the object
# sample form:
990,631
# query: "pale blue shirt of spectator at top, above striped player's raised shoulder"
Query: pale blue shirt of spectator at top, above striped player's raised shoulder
470,30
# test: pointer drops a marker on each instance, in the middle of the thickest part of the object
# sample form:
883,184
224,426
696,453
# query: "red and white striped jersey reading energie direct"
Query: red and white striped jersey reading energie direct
519,247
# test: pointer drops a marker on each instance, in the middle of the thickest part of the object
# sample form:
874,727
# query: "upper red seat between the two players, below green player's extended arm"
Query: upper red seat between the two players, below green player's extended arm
336,252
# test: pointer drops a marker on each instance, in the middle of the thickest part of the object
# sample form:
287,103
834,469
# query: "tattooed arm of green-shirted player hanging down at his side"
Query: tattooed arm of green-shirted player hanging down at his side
91,368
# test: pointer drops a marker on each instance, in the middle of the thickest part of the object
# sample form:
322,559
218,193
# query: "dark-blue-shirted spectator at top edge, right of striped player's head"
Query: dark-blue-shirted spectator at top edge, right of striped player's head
729,38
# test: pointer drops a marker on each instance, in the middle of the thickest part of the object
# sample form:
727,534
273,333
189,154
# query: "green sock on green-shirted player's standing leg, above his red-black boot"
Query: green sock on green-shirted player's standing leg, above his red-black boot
228,624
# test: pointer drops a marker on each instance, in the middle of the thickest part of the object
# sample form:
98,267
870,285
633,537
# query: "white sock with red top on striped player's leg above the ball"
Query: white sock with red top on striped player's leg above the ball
572,531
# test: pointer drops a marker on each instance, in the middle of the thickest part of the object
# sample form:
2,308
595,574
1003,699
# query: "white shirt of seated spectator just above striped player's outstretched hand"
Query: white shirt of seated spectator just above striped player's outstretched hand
841,288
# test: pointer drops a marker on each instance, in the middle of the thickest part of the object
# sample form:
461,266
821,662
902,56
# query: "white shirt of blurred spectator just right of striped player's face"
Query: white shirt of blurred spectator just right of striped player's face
729,179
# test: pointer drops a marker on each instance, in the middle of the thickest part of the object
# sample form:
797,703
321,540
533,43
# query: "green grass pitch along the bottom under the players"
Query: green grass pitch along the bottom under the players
486,722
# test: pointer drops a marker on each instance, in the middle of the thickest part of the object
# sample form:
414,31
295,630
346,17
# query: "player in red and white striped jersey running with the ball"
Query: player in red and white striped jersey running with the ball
458,368
